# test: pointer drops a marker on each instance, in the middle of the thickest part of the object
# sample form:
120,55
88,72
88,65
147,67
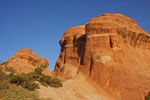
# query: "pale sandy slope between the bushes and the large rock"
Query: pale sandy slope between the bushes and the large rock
74,89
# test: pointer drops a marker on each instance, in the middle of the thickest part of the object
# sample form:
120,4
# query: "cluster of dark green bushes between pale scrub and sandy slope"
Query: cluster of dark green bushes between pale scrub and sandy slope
29,81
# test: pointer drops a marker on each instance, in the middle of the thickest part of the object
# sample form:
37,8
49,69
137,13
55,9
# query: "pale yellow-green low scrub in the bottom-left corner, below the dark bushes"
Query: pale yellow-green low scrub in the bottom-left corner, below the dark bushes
10,91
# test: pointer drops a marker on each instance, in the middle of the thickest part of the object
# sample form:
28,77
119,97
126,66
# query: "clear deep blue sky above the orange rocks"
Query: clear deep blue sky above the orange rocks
39,24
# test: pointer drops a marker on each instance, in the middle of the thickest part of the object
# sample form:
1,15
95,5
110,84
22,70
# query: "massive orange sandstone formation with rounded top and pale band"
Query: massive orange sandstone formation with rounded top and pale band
112,51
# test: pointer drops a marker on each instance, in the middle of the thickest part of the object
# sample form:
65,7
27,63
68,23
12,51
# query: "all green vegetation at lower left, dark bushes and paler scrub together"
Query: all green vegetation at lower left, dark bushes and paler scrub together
21,87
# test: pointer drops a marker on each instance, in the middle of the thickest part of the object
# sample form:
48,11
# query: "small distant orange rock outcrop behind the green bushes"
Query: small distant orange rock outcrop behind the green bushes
26,61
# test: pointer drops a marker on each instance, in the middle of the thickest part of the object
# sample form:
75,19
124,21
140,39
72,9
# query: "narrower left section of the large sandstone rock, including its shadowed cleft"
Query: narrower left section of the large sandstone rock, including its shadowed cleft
72,52
